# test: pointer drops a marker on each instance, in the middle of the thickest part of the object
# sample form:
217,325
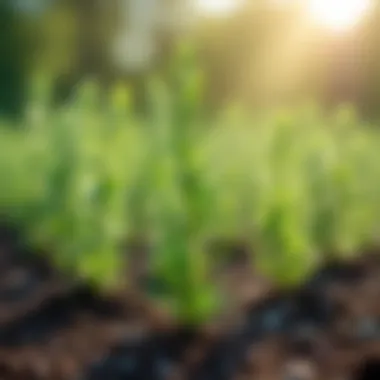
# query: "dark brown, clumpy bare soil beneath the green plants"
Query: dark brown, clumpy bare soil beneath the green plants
51,329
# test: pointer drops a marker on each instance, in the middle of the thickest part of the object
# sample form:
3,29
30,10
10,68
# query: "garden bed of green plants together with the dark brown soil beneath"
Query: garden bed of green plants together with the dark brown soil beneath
296,186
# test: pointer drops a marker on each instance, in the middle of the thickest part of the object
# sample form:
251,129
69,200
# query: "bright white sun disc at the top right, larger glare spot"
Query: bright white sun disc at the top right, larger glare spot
338,15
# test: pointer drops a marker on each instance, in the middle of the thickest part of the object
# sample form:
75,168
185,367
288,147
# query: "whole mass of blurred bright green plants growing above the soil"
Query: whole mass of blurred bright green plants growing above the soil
297,185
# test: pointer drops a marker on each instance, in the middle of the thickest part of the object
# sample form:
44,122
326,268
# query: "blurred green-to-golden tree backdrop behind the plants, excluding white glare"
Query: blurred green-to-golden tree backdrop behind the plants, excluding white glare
262,54
